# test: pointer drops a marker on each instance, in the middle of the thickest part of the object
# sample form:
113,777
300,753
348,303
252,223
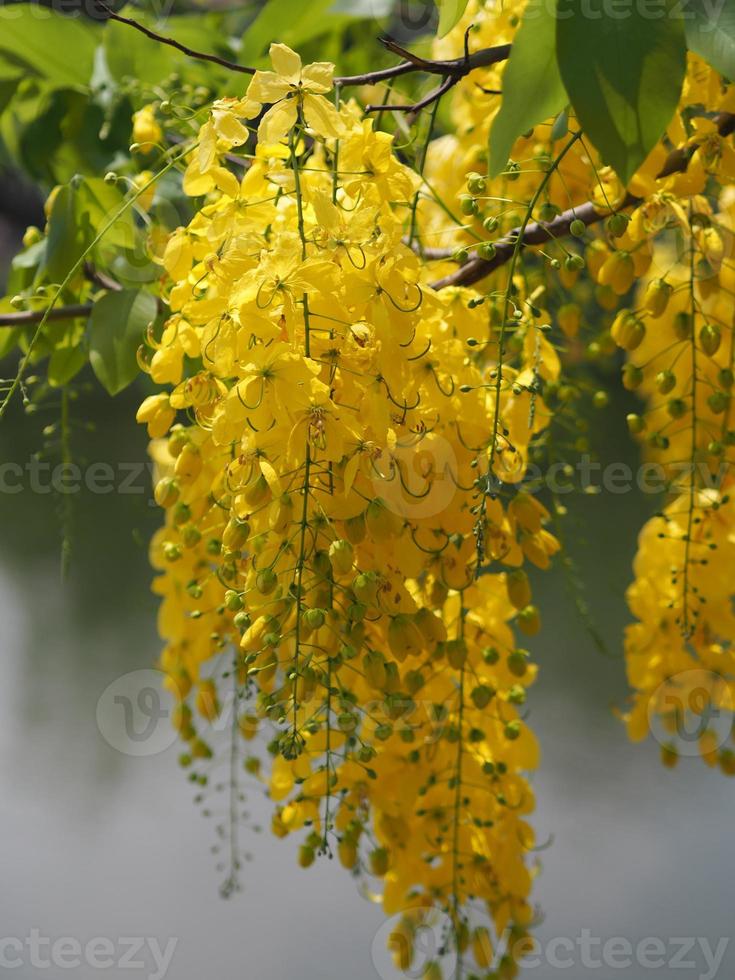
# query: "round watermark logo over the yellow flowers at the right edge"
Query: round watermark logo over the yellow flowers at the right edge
689,707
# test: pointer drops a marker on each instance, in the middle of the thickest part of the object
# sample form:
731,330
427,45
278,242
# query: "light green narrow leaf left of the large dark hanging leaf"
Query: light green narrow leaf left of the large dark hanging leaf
532,87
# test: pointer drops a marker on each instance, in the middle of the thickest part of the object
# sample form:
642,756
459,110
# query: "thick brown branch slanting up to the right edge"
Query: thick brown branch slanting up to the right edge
539,233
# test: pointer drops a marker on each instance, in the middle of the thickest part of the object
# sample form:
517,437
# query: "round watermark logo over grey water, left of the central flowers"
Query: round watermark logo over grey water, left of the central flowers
134,714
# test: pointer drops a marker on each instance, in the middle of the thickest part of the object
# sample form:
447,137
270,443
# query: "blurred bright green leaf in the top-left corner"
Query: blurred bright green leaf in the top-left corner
60,49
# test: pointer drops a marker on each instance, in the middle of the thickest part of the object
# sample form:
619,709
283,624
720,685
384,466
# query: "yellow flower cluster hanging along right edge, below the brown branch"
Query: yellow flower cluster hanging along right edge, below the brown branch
680,659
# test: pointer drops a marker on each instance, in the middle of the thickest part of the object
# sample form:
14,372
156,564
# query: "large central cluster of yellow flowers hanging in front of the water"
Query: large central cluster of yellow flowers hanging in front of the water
332,514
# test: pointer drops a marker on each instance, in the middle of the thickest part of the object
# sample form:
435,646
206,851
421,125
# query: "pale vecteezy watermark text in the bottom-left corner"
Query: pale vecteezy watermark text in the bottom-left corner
145,954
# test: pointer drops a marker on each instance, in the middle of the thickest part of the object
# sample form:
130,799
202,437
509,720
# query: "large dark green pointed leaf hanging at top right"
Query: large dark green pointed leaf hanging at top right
623,75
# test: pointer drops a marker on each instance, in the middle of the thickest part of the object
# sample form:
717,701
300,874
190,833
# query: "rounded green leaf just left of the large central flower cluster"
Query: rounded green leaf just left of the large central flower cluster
116,330
